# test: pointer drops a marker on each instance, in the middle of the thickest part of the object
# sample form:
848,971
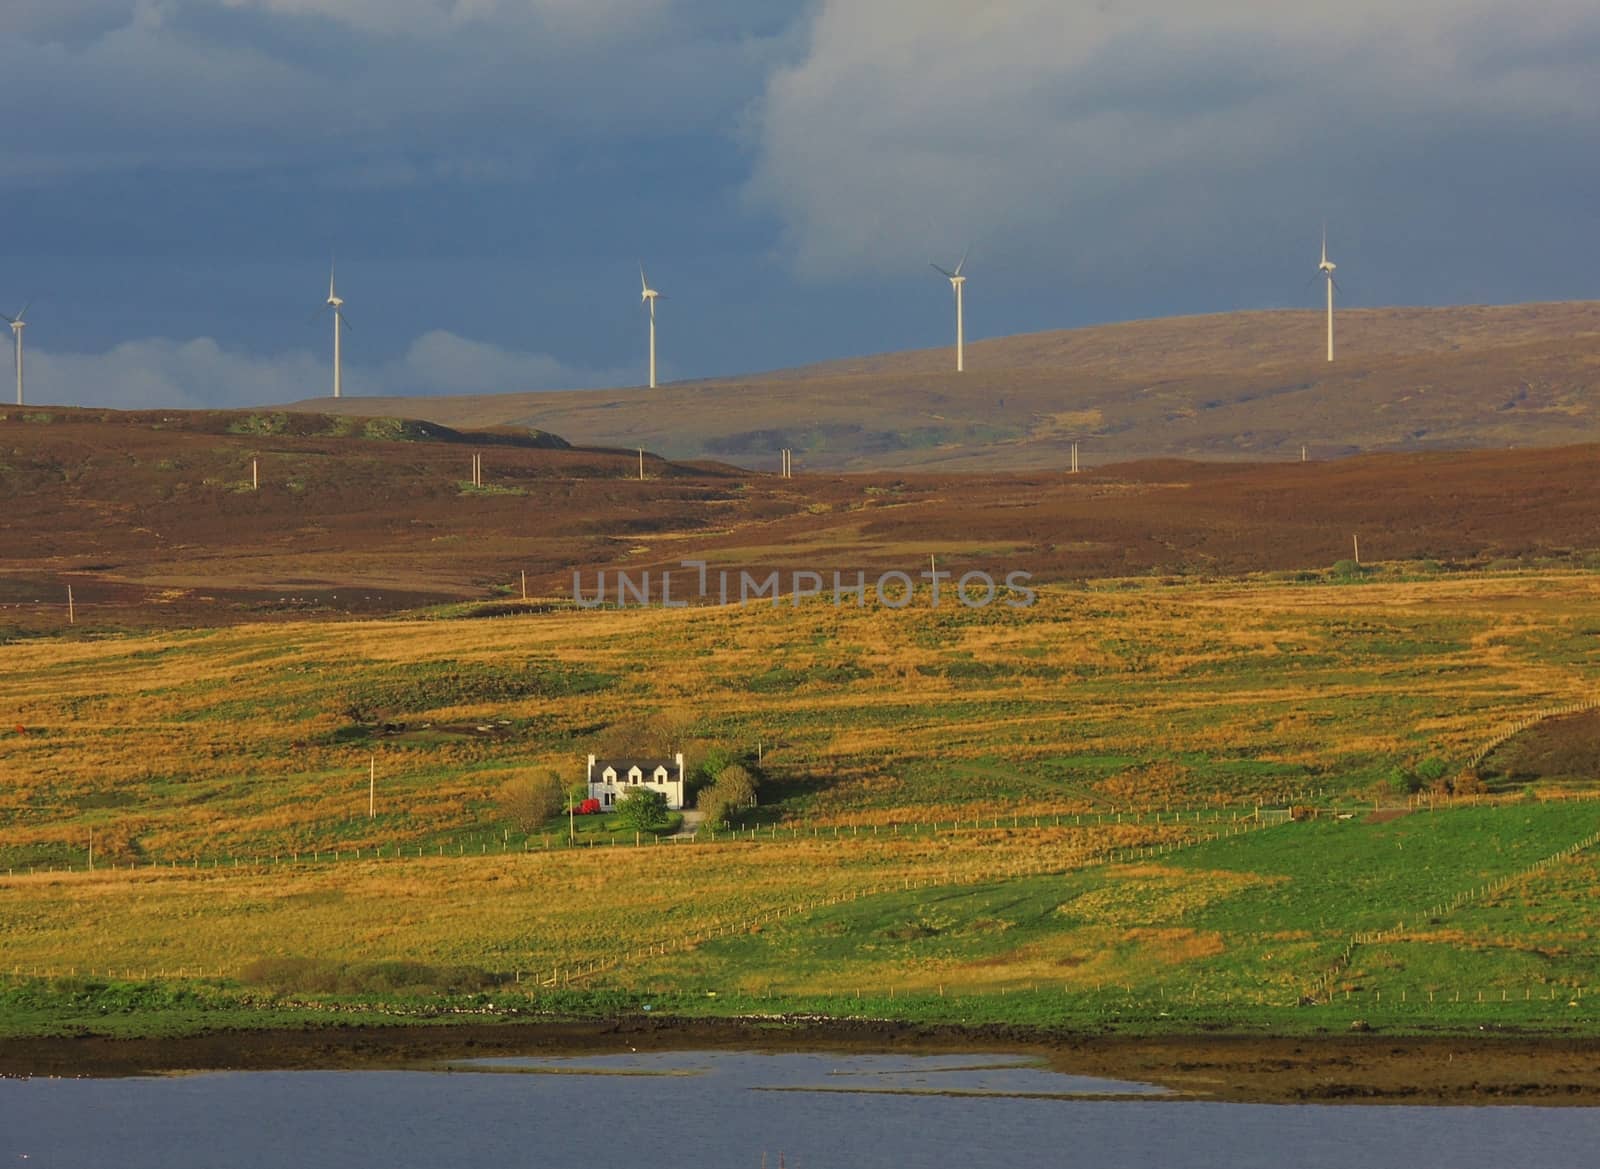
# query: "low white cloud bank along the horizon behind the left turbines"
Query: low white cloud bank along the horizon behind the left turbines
201,375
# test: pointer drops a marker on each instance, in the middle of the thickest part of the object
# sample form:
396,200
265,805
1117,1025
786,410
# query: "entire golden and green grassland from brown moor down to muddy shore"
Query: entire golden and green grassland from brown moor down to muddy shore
967,815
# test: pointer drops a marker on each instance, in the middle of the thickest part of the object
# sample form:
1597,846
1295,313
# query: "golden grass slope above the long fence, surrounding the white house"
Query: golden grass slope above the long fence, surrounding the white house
236,741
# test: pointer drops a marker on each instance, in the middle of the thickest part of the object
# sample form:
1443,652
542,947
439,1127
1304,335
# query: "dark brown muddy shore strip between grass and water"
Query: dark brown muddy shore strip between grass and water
1358,1069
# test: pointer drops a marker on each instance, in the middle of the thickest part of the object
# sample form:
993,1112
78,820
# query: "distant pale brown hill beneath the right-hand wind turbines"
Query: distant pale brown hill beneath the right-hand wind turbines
1236,386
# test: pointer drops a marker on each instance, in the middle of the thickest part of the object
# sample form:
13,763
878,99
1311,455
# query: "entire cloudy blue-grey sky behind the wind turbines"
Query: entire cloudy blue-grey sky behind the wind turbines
177,178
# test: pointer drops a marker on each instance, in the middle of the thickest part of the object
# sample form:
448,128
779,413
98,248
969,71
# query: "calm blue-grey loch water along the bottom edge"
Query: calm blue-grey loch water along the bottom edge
726,1111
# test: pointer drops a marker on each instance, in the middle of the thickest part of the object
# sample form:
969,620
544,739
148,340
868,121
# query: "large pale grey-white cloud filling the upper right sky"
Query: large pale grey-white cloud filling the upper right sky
1087,134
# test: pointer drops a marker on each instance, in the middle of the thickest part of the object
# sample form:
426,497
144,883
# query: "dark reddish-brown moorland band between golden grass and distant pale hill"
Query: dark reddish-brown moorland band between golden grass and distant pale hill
153,517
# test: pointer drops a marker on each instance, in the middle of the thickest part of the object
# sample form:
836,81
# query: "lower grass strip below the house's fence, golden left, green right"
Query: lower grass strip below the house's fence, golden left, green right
1473,917
